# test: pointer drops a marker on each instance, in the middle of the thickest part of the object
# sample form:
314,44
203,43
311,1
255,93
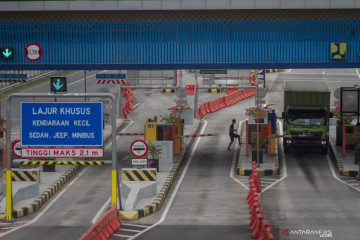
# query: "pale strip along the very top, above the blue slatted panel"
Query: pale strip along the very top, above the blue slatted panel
176,5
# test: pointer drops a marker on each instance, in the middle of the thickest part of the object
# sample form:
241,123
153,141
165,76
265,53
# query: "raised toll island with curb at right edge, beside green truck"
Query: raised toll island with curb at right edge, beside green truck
345,163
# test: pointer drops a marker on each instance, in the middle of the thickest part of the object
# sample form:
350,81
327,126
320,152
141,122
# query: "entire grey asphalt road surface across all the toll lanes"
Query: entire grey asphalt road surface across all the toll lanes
209,204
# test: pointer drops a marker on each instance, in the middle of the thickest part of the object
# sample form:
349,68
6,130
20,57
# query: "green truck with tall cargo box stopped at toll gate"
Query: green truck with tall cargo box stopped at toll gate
306,115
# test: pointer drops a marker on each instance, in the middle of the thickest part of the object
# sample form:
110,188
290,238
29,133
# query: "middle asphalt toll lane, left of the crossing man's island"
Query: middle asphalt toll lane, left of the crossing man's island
206,205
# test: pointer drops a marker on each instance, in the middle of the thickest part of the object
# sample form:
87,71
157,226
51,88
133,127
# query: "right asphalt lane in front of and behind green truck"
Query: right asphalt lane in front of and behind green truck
310,198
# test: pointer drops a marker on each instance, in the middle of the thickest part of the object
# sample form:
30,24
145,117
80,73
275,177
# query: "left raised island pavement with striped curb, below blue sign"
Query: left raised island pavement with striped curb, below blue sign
50,182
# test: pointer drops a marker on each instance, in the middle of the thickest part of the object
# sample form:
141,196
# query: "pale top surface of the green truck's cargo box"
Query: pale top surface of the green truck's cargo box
306,86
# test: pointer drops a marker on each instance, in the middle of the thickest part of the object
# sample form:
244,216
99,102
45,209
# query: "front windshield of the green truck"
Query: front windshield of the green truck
306,117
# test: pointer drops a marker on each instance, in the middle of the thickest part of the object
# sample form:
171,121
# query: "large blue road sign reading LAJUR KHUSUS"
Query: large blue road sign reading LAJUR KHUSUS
61,123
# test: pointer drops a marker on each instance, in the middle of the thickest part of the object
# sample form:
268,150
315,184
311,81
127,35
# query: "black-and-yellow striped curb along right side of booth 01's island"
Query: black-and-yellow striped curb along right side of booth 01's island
156,205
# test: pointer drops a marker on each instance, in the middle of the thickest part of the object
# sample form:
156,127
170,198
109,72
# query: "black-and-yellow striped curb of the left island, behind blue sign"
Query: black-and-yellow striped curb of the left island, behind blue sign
50,191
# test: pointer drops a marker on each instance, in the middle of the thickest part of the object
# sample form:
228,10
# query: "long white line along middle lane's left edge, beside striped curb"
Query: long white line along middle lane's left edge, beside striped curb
163,216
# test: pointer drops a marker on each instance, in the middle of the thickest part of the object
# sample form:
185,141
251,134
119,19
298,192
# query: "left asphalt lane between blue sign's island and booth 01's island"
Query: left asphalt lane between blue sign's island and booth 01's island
72,213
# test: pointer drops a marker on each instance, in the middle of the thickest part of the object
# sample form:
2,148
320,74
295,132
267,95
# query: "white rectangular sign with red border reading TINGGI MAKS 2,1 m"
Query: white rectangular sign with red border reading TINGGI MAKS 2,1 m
62,152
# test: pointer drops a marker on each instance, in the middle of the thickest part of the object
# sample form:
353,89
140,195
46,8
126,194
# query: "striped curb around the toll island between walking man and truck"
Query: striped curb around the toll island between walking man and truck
261,172
